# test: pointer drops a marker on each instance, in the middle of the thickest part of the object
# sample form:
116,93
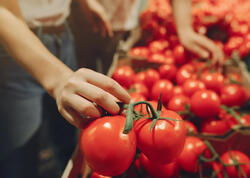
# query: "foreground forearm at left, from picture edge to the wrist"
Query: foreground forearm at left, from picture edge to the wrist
29,52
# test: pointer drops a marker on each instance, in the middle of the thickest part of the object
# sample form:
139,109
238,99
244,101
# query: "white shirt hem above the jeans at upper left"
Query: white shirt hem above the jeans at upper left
45,12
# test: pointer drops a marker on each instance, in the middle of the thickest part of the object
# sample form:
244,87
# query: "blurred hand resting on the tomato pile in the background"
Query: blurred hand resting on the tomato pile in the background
201,45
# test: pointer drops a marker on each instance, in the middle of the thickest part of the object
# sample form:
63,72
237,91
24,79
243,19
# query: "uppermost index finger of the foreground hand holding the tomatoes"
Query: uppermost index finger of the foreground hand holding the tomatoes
107,84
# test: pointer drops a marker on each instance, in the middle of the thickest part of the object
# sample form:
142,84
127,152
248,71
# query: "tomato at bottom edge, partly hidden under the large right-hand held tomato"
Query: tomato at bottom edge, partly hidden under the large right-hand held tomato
159,170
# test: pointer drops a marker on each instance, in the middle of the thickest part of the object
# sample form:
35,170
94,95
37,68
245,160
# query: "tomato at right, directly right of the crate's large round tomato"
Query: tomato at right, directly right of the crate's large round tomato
233,95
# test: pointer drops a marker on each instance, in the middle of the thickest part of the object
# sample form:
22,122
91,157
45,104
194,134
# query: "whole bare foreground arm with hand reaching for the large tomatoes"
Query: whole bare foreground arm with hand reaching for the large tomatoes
74,92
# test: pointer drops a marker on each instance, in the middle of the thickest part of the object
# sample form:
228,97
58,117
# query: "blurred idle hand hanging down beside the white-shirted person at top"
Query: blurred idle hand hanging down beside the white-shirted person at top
97,16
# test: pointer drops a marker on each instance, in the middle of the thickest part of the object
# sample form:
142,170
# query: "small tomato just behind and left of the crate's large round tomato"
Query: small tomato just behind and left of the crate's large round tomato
190,86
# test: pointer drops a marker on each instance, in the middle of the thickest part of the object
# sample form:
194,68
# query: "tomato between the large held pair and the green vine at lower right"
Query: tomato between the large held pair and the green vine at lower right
188,160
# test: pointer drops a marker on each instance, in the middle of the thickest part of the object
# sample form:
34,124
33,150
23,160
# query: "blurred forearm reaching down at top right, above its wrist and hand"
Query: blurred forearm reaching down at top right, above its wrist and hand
182,14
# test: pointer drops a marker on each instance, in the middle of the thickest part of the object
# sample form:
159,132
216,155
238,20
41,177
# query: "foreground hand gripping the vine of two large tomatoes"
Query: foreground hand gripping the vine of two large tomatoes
77,94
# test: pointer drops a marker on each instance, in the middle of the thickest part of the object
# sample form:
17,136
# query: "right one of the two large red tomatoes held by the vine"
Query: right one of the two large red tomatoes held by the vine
164,143
